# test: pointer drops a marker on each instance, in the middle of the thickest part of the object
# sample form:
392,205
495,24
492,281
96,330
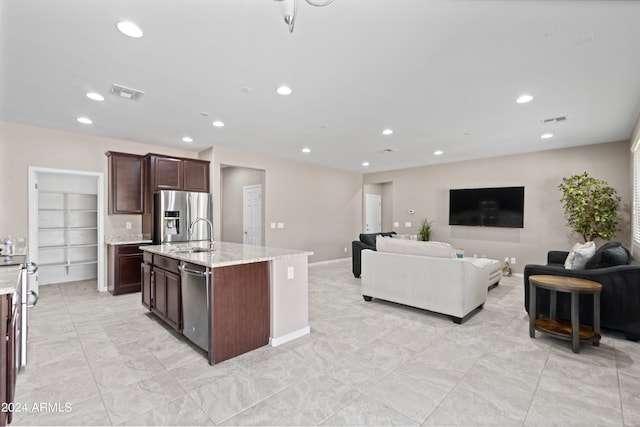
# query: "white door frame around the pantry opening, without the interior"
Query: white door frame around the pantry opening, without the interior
34,172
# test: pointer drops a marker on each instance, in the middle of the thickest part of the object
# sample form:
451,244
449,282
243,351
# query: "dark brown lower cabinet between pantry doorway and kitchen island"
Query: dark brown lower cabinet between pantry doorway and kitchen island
124,268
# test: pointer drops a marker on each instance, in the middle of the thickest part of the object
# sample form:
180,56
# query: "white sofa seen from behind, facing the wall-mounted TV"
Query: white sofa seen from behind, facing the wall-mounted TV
425,275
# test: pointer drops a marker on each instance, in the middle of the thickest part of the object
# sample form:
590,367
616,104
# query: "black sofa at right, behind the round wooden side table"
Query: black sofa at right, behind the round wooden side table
617,271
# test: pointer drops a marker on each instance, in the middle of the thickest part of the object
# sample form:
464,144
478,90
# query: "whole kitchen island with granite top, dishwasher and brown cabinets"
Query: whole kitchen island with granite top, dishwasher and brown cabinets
243,297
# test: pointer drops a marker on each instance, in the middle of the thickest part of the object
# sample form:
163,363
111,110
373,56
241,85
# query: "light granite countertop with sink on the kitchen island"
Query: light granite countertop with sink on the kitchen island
224,253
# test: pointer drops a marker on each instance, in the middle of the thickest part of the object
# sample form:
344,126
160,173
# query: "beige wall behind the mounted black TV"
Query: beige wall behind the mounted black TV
426,190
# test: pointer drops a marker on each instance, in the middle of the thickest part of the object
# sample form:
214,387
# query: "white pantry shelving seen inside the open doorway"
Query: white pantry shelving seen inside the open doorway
67,236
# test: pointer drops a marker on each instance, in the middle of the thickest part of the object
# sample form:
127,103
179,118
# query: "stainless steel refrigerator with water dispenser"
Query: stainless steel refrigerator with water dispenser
175,211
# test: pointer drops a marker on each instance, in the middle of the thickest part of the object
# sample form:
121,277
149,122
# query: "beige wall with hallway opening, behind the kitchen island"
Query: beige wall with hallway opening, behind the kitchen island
321,208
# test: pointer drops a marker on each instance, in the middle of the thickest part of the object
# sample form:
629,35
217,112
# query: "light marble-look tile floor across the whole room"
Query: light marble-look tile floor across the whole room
96,359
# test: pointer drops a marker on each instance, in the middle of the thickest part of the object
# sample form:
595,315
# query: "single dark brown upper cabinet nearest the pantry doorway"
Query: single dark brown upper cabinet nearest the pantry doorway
126,183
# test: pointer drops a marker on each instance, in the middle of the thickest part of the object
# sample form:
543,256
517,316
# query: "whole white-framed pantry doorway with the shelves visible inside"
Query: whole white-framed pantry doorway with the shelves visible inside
66,217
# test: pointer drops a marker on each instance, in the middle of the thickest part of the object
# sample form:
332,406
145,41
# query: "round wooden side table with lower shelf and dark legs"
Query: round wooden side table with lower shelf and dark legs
561,328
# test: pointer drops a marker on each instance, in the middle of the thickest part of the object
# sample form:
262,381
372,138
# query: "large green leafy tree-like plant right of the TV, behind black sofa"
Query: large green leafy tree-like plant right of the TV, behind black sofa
590,206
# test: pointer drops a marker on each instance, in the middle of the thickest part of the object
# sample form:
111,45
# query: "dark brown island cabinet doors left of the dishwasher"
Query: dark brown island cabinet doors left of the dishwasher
161,288
